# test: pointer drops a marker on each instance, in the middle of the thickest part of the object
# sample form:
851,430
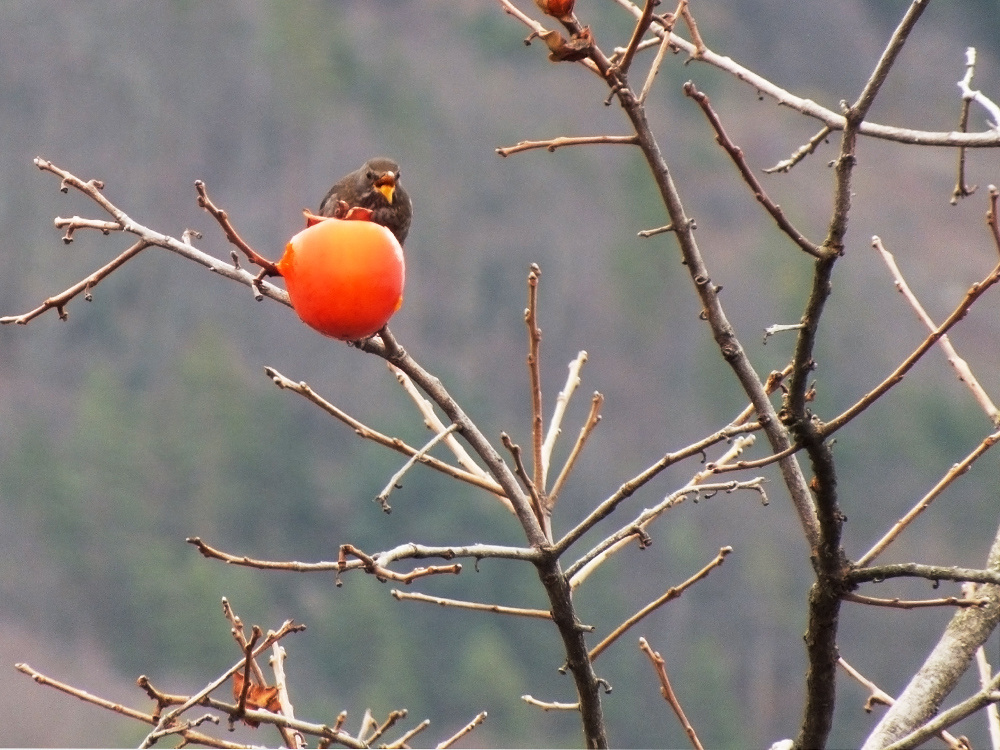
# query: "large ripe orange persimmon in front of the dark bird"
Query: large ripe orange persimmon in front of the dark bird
344,276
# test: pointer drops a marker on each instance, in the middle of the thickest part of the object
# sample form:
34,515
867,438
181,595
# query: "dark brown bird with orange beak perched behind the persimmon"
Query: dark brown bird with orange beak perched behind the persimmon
374,186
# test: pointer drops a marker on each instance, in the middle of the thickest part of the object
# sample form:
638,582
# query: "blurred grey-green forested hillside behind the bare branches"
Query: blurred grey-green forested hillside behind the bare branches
146,417
